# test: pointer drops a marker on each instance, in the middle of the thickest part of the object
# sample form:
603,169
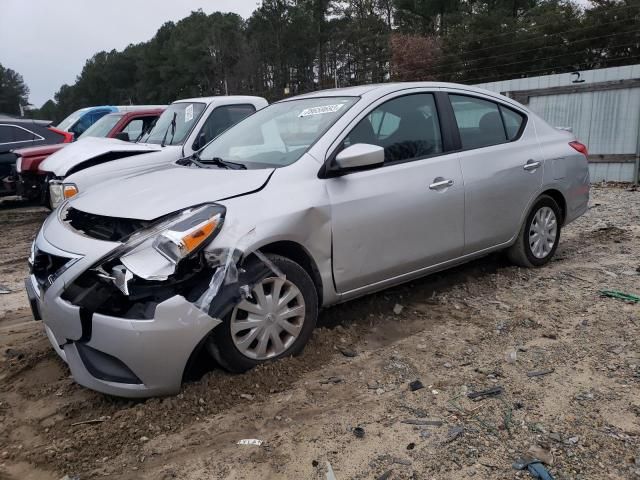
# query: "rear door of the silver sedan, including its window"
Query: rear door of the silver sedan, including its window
501,165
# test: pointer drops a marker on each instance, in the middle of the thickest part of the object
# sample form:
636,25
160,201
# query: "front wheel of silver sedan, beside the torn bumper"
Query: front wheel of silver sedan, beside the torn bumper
223,343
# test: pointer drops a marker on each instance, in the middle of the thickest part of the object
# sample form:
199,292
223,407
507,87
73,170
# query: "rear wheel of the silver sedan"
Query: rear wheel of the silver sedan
521,252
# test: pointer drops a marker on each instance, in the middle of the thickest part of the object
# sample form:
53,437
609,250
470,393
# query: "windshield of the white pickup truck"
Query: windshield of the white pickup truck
186,116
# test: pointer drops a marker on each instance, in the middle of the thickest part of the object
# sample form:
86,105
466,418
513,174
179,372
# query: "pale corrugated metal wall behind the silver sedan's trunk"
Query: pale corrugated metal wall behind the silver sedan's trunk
607,121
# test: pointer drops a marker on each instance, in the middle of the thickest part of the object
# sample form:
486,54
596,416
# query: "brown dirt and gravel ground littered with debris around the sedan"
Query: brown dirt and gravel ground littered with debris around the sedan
479,326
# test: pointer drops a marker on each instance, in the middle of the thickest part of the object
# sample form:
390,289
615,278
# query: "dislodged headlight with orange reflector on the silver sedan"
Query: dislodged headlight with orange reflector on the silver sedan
154,253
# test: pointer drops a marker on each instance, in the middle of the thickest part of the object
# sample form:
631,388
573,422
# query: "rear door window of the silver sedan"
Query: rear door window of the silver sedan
479,121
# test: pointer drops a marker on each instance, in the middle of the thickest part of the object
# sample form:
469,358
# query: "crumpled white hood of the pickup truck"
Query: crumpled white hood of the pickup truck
89,148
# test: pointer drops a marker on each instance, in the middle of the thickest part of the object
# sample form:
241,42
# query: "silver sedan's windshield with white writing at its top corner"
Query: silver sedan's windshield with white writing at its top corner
277,135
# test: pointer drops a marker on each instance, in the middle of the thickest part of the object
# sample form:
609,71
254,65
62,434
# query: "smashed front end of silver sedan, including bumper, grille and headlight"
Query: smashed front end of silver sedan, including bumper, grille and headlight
131,322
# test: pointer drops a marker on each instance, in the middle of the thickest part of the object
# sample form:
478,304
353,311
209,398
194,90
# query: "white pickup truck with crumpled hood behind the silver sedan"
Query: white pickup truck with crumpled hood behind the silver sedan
183,128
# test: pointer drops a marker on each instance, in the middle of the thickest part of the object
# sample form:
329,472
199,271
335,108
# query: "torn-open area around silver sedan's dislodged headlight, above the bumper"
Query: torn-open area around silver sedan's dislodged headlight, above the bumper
155,261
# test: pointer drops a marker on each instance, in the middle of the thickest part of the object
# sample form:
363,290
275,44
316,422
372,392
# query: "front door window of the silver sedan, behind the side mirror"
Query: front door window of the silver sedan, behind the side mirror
406,127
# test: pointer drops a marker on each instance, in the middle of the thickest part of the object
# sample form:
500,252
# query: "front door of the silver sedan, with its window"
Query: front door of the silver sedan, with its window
407,214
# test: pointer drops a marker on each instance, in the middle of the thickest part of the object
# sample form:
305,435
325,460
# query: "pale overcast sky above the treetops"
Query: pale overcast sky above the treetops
48,41
